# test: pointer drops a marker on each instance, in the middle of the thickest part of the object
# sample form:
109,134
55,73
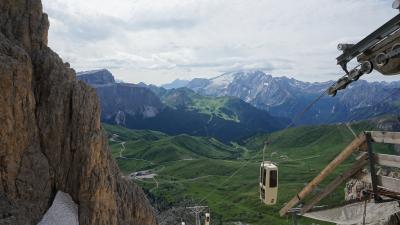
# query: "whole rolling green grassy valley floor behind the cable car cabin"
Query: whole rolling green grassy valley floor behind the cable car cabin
198,170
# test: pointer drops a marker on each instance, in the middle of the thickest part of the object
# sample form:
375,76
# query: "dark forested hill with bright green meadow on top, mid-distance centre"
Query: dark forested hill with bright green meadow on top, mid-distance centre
224,118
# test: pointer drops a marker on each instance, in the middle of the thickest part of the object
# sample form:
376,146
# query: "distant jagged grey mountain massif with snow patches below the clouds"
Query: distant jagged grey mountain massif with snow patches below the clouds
287,97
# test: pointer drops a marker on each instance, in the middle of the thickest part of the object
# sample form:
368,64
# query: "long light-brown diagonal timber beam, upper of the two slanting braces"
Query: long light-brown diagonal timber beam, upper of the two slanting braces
353,146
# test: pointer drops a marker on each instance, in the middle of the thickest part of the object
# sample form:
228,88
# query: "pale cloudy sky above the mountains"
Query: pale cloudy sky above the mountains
157,41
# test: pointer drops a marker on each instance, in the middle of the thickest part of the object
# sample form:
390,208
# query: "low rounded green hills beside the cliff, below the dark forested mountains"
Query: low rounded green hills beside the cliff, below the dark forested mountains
145,148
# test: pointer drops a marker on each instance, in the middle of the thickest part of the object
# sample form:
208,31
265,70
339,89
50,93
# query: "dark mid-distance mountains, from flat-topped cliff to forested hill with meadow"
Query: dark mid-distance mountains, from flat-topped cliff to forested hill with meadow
178,111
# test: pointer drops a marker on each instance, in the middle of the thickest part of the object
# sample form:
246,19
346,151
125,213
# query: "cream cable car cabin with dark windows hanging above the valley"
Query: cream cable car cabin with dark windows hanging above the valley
268,183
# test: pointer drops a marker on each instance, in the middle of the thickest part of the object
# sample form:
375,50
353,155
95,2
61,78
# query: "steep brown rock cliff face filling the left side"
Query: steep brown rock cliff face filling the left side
50,132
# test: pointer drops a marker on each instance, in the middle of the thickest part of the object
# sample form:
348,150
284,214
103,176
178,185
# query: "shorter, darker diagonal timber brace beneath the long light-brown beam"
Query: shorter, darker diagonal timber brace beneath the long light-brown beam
354,169
